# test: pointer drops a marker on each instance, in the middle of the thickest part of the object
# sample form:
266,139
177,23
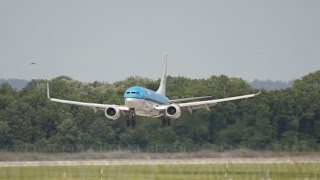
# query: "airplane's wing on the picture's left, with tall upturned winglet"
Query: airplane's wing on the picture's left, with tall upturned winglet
95,106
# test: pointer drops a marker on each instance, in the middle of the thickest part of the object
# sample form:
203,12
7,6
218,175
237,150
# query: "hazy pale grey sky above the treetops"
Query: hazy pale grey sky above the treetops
110,40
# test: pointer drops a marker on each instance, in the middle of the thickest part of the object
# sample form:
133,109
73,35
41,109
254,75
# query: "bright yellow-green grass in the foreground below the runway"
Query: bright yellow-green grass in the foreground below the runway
128,172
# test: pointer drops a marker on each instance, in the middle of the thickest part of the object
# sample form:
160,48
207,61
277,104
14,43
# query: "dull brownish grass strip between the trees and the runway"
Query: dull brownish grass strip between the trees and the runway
36,156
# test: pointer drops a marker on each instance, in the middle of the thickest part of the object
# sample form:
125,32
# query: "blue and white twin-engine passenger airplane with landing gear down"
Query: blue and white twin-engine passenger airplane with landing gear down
140,101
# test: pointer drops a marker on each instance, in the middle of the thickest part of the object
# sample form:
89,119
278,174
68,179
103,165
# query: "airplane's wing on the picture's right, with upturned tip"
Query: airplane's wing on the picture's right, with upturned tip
207,103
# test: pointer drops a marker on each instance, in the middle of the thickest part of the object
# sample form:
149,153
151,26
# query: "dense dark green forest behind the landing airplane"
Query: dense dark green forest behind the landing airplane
287,117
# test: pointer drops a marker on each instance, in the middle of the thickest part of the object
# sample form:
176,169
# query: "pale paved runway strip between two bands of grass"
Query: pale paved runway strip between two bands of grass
110,162
